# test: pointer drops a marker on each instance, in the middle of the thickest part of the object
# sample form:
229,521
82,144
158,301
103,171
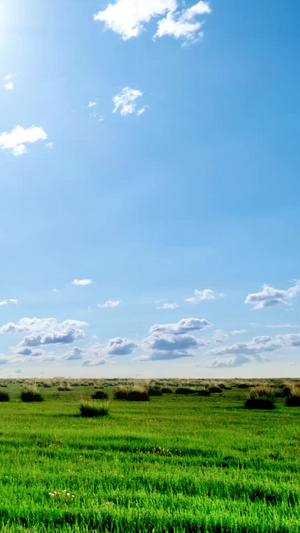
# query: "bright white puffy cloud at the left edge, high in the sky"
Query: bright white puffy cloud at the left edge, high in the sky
19,137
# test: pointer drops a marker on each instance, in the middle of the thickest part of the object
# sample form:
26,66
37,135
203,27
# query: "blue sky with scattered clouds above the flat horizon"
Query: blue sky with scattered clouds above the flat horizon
149,189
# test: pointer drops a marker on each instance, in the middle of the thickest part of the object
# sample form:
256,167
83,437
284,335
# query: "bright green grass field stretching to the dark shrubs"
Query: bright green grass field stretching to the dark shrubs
176,463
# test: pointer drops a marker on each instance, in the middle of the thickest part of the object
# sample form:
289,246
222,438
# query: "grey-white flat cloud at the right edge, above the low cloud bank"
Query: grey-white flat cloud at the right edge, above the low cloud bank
270,296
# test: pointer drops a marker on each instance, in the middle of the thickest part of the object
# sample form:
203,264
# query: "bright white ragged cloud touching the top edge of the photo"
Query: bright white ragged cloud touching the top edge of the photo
128,17
